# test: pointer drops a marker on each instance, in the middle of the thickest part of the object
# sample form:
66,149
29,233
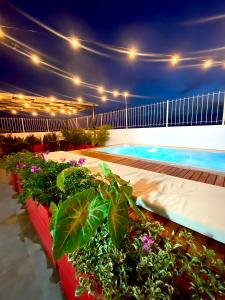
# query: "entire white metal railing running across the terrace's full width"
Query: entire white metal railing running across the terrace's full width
205,109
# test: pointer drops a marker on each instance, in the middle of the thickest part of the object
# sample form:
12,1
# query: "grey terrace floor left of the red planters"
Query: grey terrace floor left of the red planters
25,272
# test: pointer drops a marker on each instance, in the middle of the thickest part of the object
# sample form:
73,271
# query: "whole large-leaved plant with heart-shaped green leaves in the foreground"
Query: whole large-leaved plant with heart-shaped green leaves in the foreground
82,213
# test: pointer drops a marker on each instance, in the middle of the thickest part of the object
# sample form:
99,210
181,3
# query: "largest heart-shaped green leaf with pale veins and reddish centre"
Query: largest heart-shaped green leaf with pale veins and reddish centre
77,220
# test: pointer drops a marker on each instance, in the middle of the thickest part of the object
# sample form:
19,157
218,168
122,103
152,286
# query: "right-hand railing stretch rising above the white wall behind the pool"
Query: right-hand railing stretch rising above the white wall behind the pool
205,109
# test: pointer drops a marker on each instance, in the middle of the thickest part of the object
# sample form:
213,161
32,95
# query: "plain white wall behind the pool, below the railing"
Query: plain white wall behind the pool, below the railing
204,137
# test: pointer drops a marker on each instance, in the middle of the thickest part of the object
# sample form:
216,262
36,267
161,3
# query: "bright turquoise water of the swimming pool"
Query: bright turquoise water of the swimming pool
210,160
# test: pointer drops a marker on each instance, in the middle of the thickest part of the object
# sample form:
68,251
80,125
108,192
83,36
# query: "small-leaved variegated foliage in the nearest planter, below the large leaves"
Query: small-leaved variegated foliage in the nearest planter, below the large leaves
132,273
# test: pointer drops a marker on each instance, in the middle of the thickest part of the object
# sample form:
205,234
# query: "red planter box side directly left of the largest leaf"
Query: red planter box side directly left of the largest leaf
40,217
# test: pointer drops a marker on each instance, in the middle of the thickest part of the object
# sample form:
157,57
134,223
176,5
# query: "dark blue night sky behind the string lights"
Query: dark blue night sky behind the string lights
158,26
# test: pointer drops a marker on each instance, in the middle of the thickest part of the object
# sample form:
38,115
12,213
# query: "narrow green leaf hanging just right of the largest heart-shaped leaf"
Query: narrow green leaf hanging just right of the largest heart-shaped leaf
118,219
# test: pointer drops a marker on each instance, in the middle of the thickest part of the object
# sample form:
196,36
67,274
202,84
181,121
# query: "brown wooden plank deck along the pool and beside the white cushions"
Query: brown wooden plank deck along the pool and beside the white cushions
170,226
